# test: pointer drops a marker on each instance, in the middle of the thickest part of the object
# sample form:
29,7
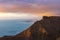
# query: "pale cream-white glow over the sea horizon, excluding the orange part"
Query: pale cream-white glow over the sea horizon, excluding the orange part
22,16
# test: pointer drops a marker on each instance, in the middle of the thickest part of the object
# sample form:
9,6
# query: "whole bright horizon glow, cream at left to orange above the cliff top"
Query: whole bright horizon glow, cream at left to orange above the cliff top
23,16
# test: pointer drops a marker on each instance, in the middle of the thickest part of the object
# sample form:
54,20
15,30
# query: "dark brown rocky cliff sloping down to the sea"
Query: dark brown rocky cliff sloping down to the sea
46,29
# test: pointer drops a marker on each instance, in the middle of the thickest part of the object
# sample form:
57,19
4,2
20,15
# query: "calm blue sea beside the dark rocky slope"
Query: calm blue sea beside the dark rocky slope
13,27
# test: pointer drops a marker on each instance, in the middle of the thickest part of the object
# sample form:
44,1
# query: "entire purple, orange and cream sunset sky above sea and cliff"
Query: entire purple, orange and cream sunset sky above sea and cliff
29,7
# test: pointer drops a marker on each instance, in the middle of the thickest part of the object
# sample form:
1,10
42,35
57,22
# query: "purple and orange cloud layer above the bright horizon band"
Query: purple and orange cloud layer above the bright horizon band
37,6
